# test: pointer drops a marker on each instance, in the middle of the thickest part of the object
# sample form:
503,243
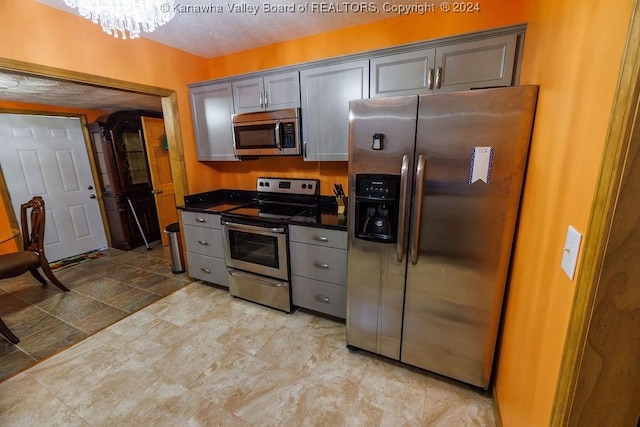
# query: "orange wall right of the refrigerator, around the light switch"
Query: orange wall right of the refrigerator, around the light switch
573,50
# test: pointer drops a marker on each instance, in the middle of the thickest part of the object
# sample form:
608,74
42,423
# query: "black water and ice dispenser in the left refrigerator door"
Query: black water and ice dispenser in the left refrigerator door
377,207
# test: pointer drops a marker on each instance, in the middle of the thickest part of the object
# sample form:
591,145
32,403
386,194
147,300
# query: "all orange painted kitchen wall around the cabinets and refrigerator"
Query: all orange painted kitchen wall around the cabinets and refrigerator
572,51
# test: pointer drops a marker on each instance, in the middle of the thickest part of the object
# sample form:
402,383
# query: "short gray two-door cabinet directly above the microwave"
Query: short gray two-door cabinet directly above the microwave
272,92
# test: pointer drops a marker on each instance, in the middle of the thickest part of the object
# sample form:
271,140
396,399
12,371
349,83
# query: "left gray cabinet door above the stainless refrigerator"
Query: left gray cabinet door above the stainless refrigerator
406,73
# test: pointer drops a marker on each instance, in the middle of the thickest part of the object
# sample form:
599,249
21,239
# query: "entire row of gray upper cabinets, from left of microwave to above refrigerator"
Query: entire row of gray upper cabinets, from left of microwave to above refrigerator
323,89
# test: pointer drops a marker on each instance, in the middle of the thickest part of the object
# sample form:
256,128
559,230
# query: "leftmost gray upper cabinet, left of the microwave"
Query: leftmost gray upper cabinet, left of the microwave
212,107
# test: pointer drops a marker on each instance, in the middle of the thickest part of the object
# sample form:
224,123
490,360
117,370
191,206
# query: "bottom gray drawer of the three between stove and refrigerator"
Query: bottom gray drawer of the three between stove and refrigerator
319,296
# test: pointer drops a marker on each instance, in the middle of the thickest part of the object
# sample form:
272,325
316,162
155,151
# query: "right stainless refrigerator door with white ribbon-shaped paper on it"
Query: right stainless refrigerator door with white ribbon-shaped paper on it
474,147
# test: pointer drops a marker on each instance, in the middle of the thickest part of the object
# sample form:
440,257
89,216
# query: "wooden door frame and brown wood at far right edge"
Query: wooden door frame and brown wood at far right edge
584,388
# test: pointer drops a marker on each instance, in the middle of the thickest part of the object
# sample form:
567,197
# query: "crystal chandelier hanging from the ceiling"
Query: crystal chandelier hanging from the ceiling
117,17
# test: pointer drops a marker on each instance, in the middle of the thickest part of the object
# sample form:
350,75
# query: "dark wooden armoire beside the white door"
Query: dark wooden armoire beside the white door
119,149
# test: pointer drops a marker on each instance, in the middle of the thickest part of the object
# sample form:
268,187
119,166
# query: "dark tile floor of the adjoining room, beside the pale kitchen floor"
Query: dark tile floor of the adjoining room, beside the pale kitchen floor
103,291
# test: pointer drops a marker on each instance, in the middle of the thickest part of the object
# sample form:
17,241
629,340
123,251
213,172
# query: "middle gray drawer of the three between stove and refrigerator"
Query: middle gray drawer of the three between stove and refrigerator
316,262
